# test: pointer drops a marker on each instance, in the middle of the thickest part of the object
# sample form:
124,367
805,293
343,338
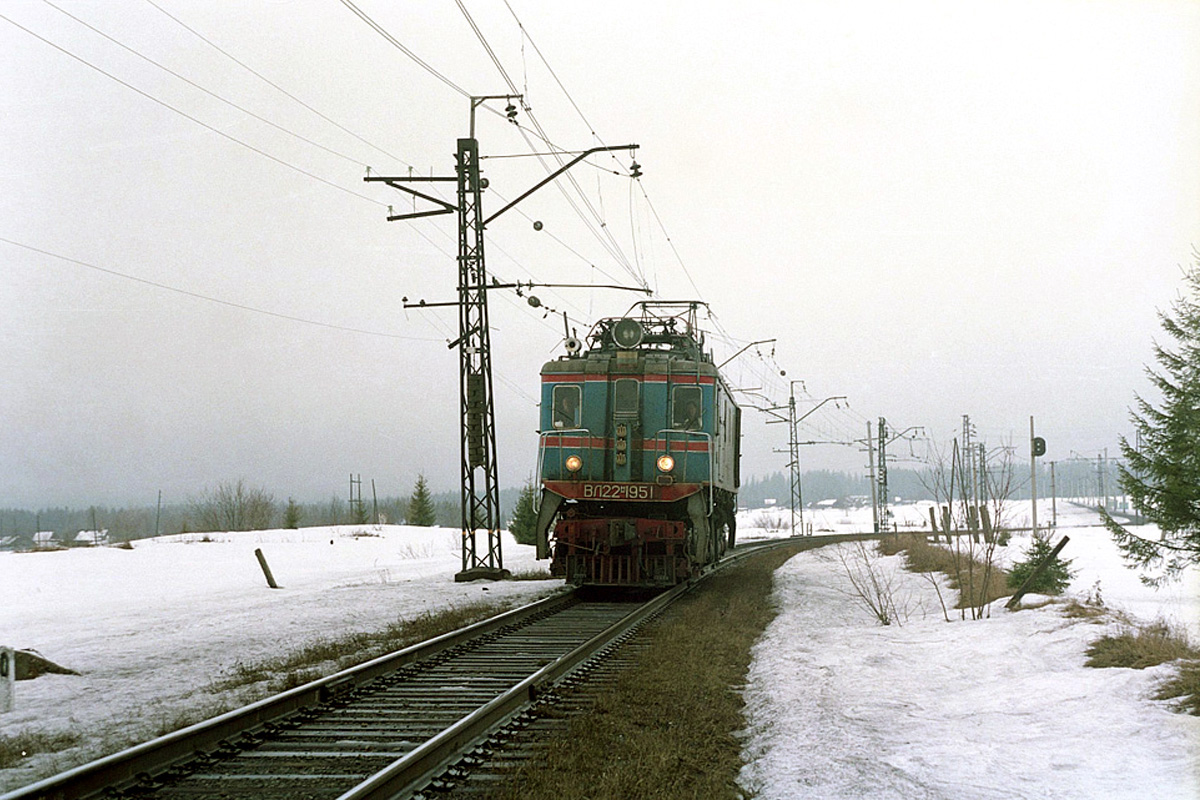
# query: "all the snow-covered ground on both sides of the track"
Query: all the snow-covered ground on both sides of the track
839,707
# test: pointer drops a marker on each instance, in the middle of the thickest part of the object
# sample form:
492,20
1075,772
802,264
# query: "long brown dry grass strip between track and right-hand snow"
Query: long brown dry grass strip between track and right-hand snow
667,730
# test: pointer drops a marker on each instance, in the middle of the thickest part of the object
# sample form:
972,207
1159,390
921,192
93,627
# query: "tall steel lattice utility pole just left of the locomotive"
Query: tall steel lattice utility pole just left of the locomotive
481,491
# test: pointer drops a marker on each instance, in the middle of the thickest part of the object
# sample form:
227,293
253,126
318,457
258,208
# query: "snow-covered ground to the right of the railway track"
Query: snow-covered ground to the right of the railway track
1003,708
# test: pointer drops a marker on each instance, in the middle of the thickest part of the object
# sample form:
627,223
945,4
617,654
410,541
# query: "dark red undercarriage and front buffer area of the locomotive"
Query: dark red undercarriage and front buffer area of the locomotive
641,544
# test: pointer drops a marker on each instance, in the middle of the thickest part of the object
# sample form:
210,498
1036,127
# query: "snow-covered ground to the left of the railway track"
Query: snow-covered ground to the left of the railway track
151,629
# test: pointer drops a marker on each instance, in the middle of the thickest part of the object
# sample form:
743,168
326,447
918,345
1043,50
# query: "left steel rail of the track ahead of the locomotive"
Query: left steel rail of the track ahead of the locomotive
160,755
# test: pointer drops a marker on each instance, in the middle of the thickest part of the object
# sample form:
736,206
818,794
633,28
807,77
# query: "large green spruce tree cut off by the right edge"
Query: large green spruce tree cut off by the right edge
1162,477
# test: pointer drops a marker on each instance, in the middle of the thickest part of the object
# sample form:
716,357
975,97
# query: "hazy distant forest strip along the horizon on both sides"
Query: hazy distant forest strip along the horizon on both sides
1077,479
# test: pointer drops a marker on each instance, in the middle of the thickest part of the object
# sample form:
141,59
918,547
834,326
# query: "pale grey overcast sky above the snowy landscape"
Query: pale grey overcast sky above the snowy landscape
937,209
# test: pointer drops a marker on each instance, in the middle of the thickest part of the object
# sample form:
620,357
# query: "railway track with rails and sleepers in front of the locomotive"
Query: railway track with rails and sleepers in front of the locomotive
383,730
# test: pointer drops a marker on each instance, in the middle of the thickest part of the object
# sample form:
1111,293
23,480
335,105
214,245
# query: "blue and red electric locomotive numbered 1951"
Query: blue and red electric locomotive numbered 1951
639,453
